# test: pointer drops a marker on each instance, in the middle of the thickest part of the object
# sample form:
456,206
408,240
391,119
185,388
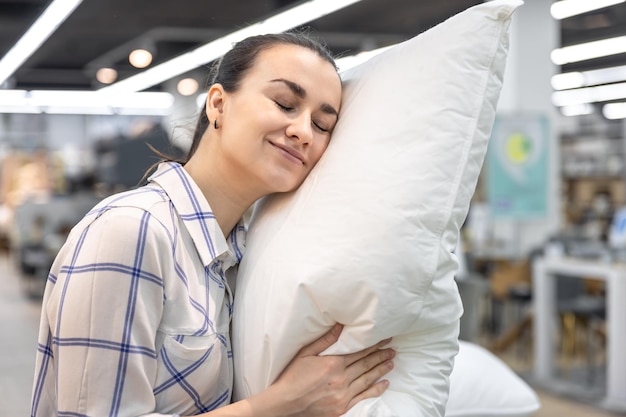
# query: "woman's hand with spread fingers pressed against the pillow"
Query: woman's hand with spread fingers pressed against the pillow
313,385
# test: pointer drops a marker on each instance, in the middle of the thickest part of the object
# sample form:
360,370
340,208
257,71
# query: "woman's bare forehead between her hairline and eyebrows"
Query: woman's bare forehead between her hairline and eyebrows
299,65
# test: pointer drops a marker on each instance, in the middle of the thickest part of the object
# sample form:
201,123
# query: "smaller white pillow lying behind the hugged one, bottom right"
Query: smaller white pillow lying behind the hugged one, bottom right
481,385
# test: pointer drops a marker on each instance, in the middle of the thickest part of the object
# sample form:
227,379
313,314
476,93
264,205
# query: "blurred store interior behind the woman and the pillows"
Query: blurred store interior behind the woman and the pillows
86,86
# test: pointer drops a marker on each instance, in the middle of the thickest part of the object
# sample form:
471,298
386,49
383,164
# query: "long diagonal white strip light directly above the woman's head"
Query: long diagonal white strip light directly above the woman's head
290,18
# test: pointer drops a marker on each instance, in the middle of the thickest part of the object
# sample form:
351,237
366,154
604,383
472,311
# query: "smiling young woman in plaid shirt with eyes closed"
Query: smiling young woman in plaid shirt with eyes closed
137,307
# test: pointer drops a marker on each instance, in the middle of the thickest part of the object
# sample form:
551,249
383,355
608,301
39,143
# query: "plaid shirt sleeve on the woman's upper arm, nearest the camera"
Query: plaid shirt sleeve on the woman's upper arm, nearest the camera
104,314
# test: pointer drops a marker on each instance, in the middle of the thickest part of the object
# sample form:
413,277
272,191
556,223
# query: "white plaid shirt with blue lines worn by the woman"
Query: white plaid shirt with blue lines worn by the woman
136,311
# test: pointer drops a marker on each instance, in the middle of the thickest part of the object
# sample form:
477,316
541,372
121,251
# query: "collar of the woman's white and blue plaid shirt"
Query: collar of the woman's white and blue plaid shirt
198,217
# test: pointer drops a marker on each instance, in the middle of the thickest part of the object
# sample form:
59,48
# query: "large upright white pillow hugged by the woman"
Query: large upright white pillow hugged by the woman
368,239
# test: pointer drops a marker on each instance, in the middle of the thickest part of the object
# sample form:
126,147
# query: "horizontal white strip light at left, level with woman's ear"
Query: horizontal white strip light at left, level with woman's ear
85,102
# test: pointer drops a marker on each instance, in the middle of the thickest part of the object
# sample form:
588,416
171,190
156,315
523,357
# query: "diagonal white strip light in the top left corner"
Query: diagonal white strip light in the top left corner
44,26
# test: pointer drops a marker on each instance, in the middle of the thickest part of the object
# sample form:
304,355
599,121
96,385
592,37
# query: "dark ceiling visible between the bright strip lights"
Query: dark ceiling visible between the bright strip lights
102,32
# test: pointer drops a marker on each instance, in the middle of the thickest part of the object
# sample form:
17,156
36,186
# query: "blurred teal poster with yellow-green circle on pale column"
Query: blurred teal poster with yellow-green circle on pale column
517,167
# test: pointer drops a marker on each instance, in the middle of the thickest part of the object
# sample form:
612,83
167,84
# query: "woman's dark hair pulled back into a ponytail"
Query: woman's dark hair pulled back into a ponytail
233,66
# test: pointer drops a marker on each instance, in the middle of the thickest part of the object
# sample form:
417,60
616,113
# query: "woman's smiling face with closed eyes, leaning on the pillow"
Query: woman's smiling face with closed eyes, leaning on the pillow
276,126
